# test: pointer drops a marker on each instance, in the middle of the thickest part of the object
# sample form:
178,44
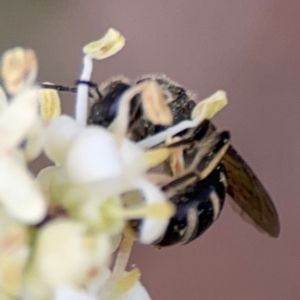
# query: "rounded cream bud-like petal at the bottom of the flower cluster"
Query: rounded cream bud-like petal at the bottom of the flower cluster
66,254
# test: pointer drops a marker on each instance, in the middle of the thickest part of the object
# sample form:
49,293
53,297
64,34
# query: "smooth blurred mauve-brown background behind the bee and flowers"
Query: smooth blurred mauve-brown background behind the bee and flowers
251,49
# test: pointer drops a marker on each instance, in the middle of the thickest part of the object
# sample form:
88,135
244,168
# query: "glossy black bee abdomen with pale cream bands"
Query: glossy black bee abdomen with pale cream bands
198,206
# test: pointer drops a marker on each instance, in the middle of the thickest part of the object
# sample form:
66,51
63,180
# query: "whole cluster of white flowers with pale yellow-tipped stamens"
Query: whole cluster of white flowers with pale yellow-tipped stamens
60,229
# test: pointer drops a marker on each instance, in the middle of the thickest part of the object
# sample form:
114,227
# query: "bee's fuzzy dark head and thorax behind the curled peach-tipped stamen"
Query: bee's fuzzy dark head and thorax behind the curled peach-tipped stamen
104,109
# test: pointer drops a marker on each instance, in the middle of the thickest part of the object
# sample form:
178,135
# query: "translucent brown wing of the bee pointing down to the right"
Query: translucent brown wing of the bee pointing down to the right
248,194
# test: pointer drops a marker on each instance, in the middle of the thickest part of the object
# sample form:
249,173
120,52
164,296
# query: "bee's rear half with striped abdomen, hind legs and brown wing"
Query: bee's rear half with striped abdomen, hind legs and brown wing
200,192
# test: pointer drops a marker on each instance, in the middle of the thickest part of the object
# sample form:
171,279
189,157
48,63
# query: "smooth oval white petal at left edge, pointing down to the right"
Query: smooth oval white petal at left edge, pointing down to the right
19,193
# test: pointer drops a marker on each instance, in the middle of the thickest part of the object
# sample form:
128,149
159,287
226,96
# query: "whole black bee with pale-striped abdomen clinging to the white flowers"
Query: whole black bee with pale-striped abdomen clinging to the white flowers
208,166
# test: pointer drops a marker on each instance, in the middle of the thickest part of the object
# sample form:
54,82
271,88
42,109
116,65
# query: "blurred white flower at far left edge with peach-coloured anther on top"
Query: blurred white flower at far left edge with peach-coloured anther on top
26,202
